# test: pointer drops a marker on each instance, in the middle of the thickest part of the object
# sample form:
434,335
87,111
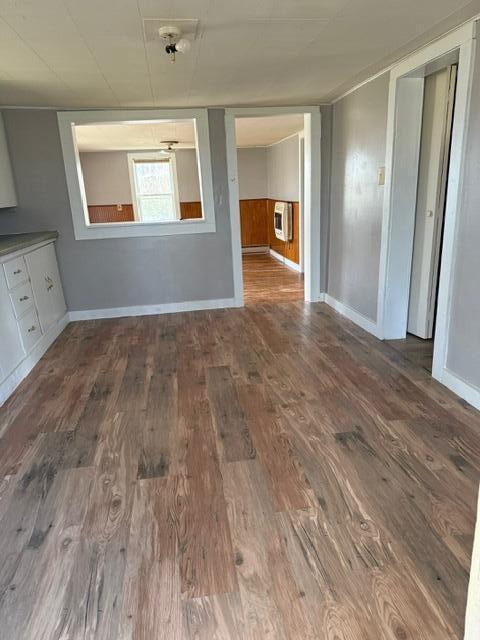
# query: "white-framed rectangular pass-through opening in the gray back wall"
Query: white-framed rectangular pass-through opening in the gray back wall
164,188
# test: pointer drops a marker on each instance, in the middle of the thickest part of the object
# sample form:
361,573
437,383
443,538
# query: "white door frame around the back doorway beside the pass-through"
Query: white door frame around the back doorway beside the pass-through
311,194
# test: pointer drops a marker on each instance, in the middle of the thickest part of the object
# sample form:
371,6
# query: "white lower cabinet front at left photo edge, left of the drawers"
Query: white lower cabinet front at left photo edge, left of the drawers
11,349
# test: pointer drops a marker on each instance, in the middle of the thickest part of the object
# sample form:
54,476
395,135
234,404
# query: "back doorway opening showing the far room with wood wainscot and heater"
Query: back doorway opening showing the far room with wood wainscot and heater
270,188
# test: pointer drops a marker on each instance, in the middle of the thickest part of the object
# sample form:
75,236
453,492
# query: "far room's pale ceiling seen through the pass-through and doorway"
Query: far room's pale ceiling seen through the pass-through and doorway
250,132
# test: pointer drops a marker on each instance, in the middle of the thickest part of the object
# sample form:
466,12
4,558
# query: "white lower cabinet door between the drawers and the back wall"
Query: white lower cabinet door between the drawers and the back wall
46,285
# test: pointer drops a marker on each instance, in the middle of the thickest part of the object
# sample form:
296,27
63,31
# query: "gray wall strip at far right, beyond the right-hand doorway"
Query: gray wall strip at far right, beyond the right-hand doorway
463,356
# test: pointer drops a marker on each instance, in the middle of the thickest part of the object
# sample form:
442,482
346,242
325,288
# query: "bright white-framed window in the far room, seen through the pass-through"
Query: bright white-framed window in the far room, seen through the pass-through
154,185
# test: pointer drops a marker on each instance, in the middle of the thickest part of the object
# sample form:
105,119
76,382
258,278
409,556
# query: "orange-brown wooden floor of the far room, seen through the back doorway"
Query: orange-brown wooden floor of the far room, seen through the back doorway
268,280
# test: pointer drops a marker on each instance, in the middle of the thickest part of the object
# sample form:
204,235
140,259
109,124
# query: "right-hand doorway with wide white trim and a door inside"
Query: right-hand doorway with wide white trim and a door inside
407,301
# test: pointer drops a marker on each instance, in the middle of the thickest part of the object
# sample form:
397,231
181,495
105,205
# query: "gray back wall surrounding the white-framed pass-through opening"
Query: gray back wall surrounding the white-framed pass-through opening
115,272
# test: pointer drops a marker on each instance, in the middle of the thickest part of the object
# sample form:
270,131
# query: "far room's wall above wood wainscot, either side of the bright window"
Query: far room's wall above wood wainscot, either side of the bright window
107,180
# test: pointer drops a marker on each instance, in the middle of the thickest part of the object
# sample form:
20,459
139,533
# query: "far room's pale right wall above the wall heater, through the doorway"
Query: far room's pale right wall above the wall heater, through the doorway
283,165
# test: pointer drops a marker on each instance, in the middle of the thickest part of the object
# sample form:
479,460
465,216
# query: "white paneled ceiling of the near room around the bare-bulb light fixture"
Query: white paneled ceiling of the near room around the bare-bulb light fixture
93,53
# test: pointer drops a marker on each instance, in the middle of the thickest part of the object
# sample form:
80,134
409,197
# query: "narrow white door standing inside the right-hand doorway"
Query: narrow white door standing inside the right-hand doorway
431,192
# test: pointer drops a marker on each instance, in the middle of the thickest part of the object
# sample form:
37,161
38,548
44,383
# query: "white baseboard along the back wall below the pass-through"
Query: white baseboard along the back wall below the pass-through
153,309
